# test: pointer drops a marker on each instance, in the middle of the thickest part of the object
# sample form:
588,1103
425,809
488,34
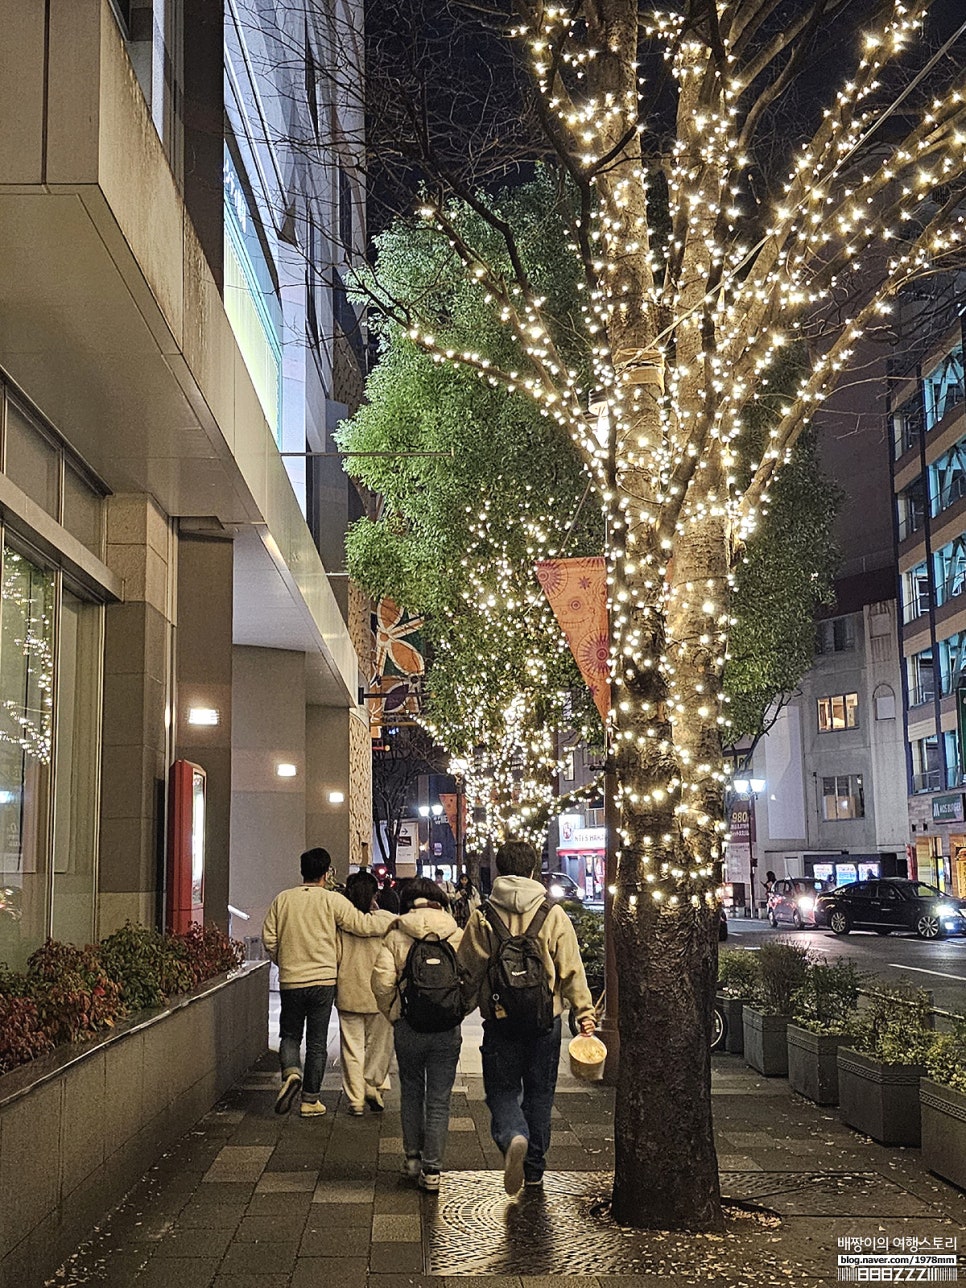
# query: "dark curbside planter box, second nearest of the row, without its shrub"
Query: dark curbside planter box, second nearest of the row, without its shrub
880,1101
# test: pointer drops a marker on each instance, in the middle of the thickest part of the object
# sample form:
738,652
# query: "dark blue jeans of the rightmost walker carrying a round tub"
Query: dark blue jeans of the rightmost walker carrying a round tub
520,1079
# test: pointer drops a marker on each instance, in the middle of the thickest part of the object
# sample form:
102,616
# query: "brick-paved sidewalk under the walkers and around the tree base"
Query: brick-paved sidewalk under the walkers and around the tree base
249,1200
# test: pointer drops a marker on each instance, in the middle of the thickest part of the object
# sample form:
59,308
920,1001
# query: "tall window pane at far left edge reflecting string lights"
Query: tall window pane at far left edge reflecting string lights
26,735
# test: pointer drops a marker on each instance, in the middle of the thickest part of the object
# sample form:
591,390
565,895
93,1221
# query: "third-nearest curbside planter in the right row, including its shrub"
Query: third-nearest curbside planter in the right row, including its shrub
824,1017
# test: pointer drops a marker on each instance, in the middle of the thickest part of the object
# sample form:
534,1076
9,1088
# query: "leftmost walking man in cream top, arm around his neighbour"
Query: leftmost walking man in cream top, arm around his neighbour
301,937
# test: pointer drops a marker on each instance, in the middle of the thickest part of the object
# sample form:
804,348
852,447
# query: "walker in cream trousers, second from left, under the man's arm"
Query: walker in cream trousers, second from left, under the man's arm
366,1035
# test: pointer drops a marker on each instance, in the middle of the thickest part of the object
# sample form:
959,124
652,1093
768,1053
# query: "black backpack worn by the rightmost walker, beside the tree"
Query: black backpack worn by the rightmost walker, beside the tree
518,981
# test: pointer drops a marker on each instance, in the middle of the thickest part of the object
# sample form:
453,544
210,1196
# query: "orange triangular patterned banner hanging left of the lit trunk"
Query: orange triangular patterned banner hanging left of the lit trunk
576,591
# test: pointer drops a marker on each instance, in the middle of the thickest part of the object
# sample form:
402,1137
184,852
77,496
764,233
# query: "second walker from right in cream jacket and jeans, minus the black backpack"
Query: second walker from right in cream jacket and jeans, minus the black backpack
427,1061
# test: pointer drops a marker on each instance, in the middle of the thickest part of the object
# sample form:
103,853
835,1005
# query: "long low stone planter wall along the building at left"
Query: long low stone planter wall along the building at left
82,1125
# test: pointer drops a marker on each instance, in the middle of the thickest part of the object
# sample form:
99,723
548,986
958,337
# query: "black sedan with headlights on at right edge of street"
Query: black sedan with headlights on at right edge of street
892,904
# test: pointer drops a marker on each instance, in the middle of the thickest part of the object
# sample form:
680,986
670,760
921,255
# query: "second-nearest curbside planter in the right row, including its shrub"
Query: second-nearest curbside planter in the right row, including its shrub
880,1071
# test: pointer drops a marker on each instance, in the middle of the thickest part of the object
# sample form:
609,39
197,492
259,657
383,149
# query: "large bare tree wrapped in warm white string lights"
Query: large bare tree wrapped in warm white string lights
722,212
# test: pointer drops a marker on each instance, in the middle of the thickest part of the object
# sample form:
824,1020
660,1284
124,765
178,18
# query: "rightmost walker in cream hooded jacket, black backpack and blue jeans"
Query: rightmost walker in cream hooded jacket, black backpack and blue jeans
521,964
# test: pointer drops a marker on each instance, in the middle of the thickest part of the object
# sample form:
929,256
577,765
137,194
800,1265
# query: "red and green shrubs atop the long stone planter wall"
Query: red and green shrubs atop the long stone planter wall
69,994
